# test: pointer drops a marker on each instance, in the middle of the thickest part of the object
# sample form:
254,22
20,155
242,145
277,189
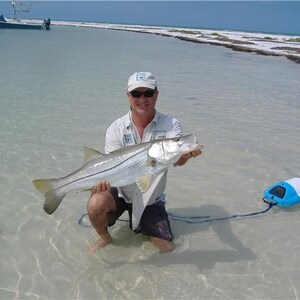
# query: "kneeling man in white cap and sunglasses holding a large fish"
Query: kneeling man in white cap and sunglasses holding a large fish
146,210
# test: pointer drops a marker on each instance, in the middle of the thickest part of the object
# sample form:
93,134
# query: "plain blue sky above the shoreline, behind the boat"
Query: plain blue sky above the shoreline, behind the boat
256,16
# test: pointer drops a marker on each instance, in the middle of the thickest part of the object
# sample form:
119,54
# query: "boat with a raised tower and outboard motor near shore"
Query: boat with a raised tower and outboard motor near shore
17,23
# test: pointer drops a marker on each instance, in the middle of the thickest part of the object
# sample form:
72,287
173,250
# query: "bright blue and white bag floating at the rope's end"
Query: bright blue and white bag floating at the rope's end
284,193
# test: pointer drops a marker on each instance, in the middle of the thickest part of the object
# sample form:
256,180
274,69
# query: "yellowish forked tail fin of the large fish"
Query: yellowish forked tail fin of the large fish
52,198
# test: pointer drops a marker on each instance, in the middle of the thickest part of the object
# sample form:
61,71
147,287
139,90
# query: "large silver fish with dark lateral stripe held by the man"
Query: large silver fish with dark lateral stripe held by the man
132,164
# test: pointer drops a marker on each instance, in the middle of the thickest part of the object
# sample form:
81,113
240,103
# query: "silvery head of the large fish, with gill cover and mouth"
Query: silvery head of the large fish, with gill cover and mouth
168,151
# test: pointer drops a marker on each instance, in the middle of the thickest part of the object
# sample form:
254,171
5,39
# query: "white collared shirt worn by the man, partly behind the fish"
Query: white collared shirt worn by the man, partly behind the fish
123,132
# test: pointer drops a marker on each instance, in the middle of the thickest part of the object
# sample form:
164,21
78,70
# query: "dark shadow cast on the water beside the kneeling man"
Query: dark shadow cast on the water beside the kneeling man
203,259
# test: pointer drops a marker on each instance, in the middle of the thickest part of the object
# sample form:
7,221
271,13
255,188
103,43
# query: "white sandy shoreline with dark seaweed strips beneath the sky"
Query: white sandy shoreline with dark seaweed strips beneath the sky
259,43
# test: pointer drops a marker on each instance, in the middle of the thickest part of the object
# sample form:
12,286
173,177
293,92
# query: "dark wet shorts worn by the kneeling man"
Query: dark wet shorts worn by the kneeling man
154,221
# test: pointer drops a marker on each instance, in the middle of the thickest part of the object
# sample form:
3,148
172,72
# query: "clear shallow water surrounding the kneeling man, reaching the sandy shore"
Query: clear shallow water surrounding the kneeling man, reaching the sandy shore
61,89
